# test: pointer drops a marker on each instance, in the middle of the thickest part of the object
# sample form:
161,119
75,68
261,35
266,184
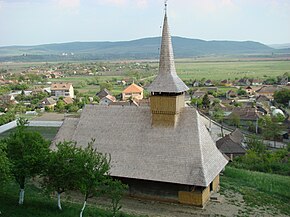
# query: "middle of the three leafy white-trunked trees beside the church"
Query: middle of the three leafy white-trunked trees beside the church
62,172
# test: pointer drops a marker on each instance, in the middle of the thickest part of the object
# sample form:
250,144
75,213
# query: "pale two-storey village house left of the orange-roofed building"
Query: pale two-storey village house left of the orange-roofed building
62,89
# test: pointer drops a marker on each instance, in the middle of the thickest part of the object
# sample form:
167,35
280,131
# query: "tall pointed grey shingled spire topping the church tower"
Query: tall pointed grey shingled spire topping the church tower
167,81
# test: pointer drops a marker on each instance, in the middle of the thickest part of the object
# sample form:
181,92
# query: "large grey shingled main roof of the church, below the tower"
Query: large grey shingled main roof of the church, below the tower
184,155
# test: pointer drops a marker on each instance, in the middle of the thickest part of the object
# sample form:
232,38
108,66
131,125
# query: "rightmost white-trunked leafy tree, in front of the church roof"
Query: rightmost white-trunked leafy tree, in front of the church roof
95,168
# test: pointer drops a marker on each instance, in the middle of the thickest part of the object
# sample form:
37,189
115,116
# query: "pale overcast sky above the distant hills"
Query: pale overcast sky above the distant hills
31,22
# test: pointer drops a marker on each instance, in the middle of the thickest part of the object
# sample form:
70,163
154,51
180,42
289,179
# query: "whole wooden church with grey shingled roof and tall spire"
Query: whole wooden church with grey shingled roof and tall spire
163,152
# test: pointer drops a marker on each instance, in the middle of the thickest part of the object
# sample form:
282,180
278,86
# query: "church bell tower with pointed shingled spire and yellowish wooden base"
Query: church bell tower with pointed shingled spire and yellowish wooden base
167,90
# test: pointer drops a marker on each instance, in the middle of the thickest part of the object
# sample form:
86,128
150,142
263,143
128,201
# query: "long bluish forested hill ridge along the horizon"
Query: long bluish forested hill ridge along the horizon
147,48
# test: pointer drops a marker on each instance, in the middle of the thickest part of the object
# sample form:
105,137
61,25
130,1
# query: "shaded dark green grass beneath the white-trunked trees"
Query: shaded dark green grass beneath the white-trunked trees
36,204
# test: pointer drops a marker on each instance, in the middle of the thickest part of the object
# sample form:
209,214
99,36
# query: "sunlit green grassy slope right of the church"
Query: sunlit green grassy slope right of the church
259,189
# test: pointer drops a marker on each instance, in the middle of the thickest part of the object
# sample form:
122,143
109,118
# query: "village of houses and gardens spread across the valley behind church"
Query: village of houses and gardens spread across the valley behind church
241,103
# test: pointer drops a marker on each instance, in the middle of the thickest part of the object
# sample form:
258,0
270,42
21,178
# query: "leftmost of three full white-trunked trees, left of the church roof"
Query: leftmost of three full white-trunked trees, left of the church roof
27,151
